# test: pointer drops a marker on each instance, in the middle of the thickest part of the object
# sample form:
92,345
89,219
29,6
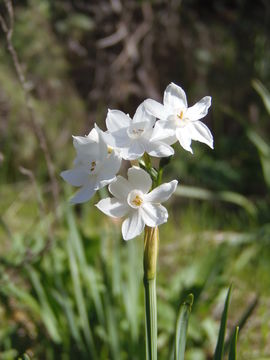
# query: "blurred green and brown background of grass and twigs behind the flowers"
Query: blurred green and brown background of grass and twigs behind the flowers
70,287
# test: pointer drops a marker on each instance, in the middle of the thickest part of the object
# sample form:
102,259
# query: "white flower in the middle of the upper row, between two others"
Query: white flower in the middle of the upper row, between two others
133,136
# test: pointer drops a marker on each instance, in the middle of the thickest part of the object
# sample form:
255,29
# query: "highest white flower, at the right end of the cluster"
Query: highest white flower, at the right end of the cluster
177,120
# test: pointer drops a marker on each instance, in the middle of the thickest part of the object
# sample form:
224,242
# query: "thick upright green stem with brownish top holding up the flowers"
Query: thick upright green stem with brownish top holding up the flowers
150,260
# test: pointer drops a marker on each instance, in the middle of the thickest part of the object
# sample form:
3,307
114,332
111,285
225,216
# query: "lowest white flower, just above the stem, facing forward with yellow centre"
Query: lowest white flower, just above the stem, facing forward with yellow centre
131,199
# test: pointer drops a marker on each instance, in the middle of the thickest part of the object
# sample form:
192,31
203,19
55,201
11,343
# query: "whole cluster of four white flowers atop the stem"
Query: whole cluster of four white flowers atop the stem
152,130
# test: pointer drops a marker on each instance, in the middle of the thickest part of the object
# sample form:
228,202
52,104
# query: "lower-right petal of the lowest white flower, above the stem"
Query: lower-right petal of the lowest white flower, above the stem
153,214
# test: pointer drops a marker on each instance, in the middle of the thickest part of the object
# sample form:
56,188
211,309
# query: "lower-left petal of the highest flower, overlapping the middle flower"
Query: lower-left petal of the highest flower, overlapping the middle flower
164,130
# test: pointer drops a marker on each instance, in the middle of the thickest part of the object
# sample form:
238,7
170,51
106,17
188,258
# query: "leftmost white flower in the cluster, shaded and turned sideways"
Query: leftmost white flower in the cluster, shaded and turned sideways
94,167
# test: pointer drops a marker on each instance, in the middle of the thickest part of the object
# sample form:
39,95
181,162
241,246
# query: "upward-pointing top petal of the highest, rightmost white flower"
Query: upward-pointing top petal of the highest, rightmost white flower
175,97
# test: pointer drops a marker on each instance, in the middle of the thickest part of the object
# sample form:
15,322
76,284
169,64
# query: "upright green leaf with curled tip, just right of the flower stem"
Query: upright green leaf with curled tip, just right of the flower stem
181,328
